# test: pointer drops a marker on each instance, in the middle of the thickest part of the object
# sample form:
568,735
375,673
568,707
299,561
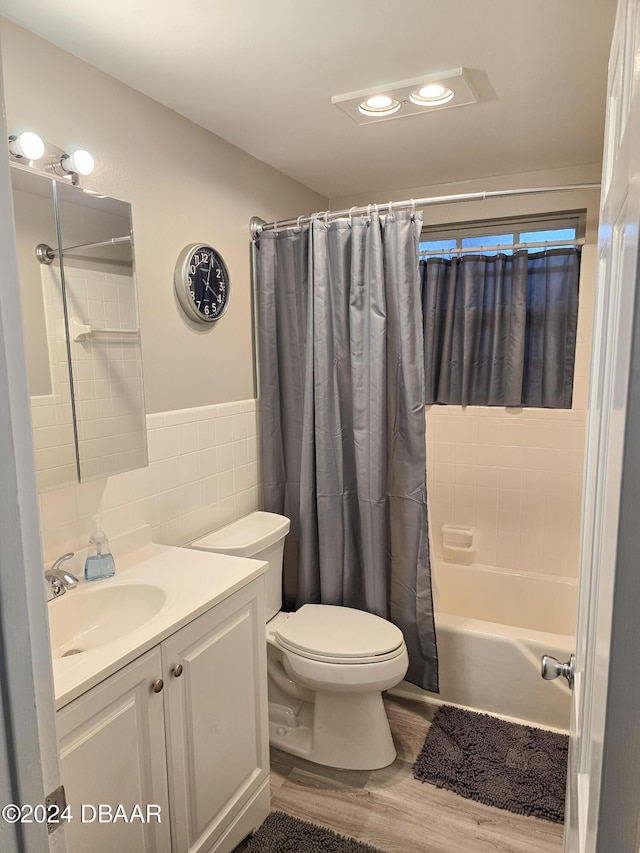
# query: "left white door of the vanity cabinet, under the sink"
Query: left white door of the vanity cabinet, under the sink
112,752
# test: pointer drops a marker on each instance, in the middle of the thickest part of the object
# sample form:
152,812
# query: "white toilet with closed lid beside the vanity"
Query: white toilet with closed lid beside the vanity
326,665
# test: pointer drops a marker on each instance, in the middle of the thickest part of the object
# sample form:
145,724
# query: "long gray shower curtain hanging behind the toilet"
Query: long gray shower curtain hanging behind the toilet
342,402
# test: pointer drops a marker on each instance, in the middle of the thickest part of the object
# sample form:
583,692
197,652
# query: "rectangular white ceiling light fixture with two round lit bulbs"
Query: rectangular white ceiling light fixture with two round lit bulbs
408,97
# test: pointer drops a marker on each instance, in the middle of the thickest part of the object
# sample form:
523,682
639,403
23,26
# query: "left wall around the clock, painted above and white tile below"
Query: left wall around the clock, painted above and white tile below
184,185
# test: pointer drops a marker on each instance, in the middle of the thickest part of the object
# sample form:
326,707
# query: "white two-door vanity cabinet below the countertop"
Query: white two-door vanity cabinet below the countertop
198,747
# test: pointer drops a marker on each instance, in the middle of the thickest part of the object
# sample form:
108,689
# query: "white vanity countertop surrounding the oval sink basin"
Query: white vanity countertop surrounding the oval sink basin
192,581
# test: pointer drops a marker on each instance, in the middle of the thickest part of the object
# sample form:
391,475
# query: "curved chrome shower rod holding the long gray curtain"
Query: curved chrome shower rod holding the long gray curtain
258,225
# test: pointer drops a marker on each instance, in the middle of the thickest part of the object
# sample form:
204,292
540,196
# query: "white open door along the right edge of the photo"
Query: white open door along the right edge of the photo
603,793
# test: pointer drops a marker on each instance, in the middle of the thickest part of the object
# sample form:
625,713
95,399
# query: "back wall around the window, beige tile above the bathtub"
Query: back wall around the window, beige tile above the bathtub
513,475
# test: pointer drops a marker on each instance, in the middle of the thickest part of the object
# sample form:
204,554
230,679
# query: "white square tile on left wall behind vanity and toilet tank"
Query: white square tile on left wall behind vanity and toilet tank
202,473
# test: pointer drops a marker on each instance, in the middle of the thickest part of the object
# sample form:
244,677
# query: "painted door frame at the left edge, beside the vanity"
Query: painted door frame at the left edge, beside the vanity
28,745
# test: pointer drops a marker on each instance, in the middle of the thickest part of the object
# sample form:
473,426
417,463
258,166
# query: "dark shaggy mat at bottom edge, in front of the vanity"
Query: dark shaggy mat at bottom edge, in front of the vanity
281,833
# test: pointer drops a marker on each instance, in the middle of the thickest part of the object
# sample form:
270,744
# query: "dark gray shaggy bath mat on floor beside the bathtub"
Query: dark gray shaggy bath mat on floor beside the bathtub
518,768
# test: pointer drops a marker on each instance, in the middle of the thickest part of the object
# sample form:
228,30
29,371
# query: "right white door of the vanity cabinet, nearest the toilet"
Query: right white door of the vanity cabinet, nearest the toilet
216,722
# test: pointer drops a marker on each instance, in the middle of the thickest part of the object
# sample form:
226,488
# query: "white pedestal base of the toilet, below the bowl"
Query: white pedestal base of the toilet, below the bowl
345,730
